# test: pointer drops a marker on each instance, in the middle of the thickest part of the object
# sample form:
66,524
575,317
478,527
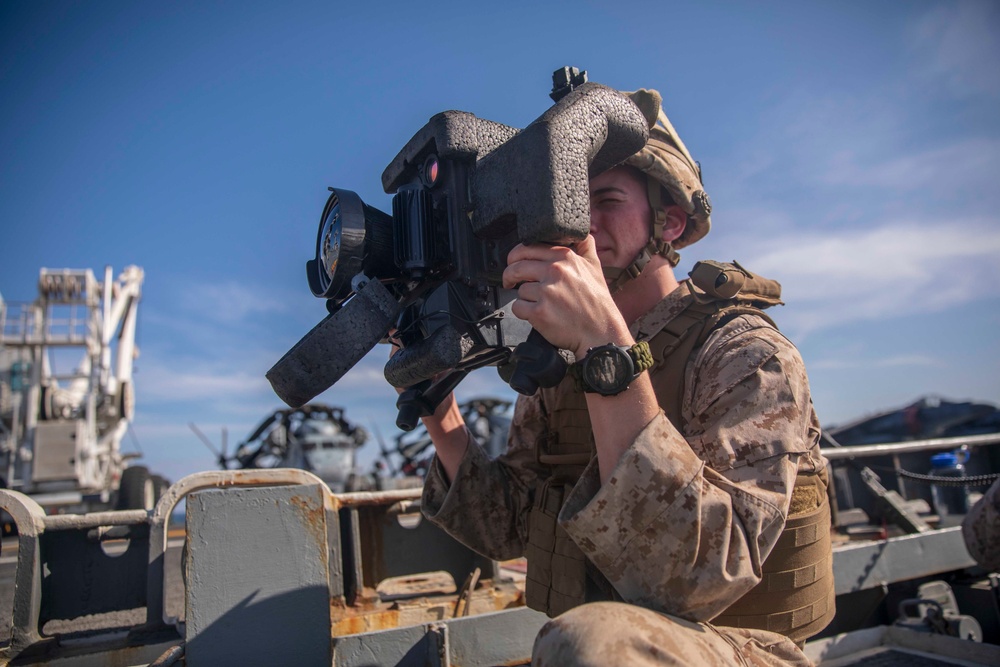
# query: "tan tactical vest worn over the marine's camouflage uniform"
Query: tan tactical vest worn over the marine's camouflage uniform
795,596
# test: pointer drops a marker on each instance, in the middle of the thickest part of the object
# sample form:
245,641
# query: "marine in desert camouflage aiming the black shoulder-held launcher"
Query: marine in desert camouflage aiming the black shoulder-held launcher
675,509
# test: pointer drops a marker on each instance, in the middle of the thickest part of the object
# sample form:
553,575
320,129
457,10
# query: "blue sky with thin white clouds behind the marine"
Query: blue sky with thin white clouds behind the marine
851,150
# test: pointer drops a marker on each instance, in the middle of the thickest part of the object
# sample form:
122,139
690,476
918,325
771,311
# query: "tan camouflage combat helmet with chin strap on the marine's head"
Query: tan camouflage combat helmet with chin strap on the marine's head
666,162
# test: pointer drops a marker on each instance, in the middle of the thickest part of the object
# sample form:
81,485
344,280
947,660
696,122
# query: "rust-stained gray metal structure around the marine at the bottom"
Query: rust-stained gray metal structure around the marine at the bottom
321,593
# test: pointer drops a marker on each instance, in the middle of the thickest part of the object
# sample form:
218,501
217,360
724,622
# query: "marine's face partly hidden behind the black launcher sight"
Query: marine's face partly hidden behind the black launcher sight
620,216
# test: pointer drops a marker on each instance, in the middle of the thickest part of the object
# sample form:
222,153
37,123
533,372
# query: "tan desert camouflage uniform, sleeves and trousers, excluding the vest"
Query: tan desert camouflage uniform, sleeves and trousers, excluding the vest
686,519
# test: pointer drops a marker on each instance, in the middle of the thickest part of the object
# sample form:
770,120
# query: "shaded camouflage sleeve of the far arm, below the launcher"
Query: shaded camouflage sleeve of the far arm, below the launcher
486,506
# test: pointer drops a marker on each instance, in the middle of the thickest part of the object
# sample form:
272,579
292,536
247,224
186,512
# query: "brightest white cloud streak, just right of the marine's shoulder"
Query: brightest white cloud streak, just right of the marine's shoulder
894,269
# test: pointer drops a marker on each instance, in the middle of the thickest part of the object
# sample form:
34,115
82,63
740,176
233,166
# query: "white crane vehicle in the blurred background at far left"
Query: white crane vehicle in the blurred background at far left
62,421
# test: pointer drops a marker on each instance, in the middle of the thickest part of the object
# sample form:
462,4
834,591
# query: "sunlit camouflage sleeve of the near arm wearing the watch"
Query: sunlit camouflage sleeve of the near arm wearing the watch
685,522
